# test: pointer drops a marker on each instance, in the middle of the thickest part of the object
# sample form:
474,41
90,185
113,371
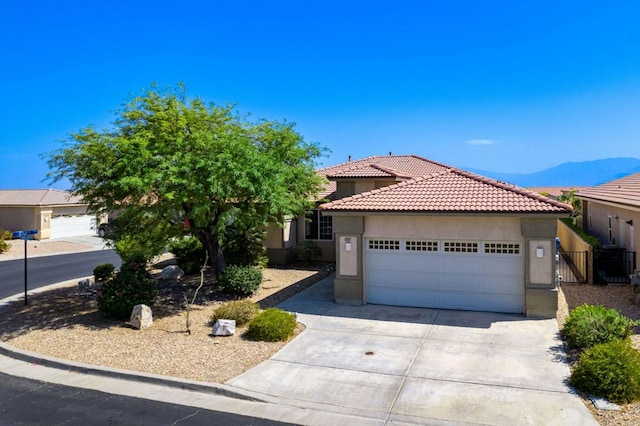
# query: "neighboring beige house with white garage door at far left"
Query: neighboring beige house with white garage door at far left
54,213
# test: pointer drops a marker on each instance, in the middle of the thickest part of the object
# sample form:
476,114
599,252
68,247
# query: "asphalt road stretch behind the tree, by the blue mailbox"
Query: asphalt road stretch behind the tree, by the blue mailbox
47,270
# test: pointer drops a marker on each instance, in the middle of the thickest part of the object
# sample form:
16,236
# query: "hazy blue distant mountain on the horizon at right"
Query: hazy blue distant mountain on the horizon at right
585,173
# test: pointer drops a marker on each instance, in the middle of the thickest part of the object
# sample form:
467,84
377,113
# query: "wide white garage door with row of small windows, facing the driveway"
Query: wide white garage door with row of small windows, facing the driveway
468,275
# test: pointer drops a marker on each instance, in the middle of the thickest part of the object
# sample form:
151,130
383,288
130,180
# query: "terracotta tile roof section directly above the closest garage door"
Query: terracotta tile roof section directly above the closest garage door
449,190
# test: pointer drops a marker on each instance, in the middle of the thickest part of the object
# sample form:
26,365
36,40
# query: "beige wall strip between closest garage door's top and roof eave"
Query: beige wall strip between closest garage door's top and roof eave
444,227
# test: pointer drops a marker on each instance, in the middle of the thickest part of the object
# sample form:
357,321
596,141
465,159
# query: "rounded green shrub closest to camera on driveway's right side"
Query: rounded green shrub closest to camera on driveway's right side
609,370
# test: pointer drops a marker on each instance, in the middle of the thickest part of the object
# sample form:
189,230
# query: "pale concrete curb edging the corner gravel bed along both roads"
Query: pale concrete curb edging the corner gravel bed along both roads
94,370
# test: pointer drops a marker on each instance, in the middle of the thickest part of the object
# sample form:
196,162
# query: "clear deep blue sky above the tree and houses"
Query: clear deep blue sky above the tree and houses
502,86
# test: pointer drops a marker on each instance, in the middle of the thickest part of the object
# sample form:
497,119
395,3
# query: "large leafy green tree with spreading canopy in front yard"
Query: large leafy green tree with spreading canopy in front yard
171,161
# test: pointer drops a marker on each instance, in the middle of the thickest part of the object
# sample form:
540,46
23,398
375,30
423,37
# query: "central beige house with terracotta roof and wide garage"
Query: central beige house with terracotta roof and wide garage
413,232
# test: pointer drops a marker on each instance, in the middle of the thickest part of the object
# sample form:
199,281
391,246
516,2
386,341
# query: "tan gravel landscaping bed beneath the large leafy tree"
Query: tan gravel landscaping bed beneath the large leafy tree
65,323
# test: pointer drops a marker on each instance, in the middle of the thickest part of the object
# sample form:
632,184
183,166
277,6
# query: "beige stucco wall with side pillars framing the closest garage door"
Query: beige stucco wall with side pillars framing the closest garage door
538,235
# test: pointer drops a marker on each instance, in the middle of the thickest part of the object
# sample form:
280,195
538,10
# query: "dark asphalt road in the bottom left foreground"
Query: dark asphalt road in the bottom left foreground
30,402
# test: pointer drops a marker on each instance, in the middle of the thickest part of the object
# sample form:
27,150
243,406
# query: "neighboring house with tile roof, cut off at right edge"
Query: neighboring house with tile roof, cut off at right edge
610,211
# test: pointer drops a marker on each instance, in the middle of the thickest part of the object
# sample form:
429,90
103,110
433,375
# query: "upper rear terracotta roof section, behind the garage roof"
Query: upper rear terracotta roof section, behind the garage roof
400,166
